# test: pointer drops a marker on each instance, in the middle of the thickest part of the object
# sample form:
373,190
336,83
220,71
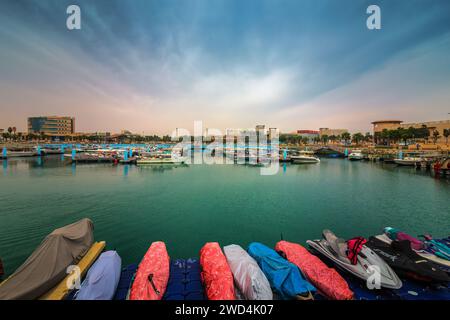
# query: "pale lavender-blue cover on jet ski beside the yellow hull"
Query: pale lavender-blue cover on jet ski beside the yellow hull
102,278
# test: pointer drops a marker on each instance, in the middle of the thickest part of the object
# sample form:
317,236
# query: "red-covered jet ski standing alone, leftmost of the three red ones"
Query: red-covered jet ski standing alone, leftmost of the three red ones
152,275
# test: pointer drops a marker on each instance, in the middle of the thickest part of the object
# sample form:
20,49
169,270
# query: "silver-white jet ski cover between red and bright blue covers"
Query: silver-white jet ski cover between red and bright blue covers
248,277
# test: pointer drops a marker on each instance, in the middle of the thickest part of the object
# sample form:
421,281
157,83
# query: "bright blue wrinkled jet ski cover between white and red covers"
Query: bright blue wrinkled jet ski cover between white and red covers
284,277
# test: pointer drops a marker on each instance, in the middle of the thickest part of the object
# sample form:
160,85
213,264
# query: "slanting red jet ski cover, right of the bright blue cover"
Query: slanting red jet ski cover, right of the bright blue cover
325,279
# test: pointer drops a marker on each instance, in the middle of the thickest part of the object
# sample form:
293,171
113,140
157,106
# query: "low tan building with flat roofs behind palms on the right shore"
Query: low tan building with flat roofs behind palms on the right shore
439,126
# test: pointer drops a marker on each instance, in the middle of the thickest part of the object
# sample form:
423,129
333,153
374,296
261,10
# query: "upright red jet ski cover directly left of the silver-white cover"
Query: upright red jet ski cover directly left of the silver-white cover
216,274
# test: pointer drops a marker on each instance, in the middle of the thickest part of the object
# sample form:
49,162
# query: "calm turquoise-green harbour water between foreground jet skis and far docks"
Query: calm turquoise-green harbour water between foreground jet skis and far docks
187,206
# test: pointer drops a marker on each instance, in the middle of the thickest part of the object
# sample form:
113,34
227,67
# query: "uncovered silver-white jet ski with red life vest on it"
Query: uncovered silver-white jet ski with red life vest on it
335,249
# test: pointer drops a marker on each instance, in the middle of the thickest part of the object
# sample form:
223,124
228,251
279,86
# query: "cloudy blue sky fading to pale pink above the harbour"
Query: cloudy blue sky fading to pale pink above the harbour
150,66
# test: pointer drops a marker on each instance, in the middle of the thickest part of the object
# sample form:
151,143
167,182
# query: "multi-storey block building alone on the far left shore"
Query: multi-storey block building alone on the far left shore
53,126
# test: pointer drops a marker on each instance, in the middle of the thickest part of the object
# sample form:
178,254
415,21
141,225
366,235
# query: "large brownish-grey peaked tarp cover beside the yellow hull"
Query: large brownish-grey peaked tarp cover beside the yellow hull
46,266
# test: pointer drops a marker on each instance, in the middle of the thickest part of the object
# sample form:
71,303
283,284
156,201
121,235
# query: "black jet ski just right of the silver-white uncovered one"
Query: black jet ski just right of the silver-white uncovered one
401,257
